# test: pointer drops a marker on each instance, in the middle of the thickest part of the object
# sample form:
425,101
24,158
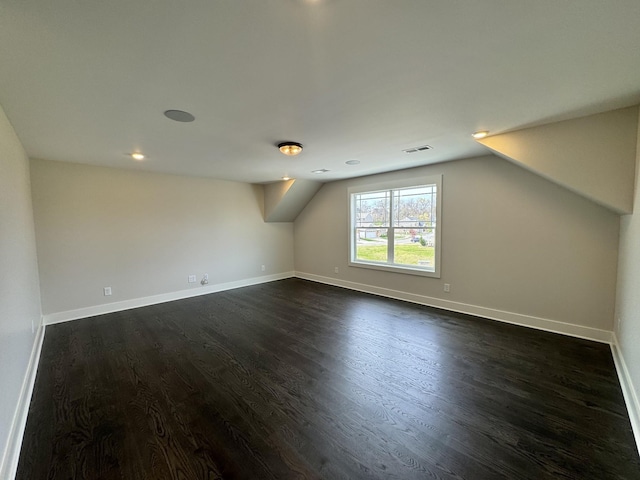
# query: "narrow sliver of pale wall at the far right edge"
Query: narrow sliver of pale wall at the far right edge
628,302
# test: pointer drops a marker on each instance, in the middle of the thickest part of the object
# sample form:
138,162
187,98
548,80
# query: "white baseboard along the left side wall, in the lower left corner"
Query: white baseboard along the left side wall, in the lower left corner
9,461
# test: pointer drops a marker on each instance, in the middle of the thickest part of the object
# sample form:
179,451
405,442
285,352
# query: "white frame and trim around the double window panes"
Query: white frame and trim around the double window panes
396,185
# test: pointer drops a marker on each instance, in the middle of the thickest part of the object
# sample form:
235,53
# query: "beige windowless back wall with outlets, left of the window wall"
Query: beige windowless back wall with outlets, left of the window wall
143,234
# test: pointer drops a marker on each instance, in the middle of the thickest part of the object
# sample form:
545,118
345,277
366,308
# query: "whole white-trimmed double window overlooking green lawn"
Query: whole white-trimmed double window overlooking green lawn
396,226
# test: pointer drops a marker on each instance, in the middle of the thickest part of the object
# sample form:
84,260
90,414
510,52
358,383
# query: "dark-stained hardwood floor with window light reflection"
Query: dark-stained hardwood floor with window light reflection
298,380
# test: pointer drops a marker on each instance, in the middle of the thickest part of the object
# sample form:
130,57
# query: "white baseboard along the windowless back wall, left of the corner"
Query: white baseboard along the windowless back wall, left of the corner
68,315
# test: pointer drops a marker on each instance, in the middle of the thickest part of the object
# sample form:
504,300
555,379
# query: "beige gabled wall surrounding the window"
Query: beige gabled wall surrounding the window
512,241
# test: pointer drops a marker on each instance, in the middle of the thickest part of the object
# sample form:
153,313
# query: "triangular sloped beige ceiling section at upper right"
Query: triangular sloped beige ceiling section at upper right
594,156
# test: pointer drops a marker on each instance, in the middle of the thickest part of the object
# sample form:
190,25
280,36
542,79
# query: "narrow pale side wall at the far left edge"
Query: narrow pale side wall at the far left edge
19,290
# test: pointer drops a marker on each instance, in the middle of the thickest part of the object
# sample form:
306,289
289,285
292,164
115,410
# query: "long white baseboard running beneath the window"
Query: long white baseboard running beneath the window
579,331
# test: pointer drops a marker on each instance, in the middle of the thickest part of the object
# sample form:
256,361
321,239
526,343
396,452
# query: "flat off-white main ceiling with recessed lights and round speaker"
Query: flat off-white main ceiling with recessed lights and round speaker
362,80
